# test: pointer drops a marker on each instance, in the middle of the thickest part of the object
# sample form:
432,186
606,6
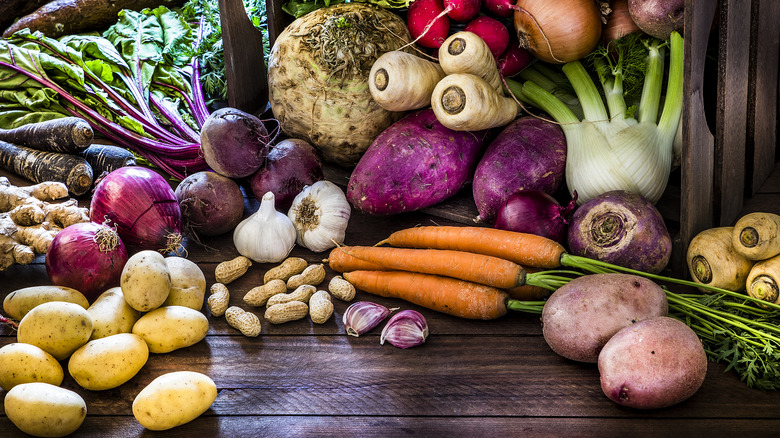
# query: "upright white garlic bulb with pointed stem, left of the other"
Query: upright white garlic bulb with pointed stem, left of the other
267,236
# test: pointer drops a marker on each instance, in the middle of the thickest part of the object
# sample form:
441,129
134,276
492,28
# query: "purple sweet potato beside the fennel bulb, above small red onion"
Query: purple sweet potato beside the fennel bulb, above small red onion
529,153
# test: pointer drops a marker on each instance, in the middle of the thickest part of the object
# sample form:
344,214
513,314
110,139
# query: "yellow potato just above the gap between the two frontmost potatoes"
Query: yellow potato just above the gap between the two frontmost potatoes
108,362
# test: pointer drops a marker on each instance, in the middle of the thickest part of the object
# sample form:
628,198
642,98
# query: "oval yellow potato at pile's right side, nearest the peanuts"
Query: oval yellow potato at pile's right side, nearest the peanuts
172,327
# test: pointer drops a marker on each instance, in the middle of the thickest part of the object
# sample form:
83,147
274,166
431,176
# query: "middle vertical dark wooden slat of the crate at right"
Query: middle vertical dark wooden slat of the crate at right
731,120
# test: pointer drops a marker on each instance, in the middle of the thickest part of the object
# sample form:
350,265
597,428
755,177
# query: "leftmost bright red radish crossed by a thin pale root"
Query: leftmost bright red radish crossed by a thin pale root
428,23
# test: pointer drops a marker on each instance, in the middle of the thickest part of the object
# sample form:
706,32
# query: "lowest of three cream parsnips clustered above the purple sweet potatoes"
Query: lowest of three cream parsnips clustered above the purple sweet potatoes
466,102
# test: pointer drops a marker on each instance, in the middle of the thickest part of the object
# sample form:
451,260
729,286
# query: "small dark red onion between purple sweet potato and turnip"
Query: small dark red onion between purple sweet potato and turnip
535,212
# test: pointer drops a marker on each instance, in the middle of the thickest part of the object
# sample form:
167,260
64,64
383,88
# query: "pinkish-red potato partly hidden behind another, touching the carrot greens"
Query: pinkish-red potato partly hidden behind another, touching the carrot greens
582,316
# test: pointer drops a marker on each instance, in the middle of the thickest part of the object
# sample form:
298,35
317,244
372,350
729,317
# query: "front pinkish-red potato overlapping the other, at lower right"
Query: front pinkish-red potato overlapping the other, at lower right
653,364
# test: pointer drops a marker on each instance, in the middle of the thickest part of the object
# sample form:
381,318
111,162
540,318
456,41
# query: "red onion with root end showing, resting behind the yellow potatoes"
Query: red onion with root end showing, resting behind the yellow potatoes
88,257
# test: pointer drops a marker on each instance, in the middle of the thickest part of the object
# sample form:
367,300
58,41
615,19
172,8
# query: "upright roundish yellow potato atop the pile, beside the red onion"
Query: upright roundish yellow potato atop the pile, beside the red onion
145,280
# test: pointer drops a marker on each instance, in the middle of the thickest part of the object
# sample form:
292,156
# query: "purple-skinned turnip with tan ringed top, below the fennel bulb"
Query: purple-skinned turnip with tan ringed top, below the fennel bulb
621,228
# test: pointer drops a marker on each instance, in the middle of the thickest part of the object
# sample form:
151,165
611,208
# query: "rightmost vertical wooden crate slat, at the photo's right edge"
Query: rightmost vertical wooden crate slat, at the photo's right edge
762,110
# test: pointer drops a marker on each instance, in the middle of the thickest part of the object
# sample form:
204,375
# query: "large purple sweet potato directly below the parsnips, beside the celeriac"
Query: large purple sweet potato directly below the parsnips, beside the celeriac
413,164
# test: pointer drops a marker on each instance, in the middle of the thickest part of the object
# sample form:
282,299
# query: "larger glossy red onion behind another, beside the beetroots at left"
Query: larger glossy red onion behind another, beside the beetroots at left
143,207
